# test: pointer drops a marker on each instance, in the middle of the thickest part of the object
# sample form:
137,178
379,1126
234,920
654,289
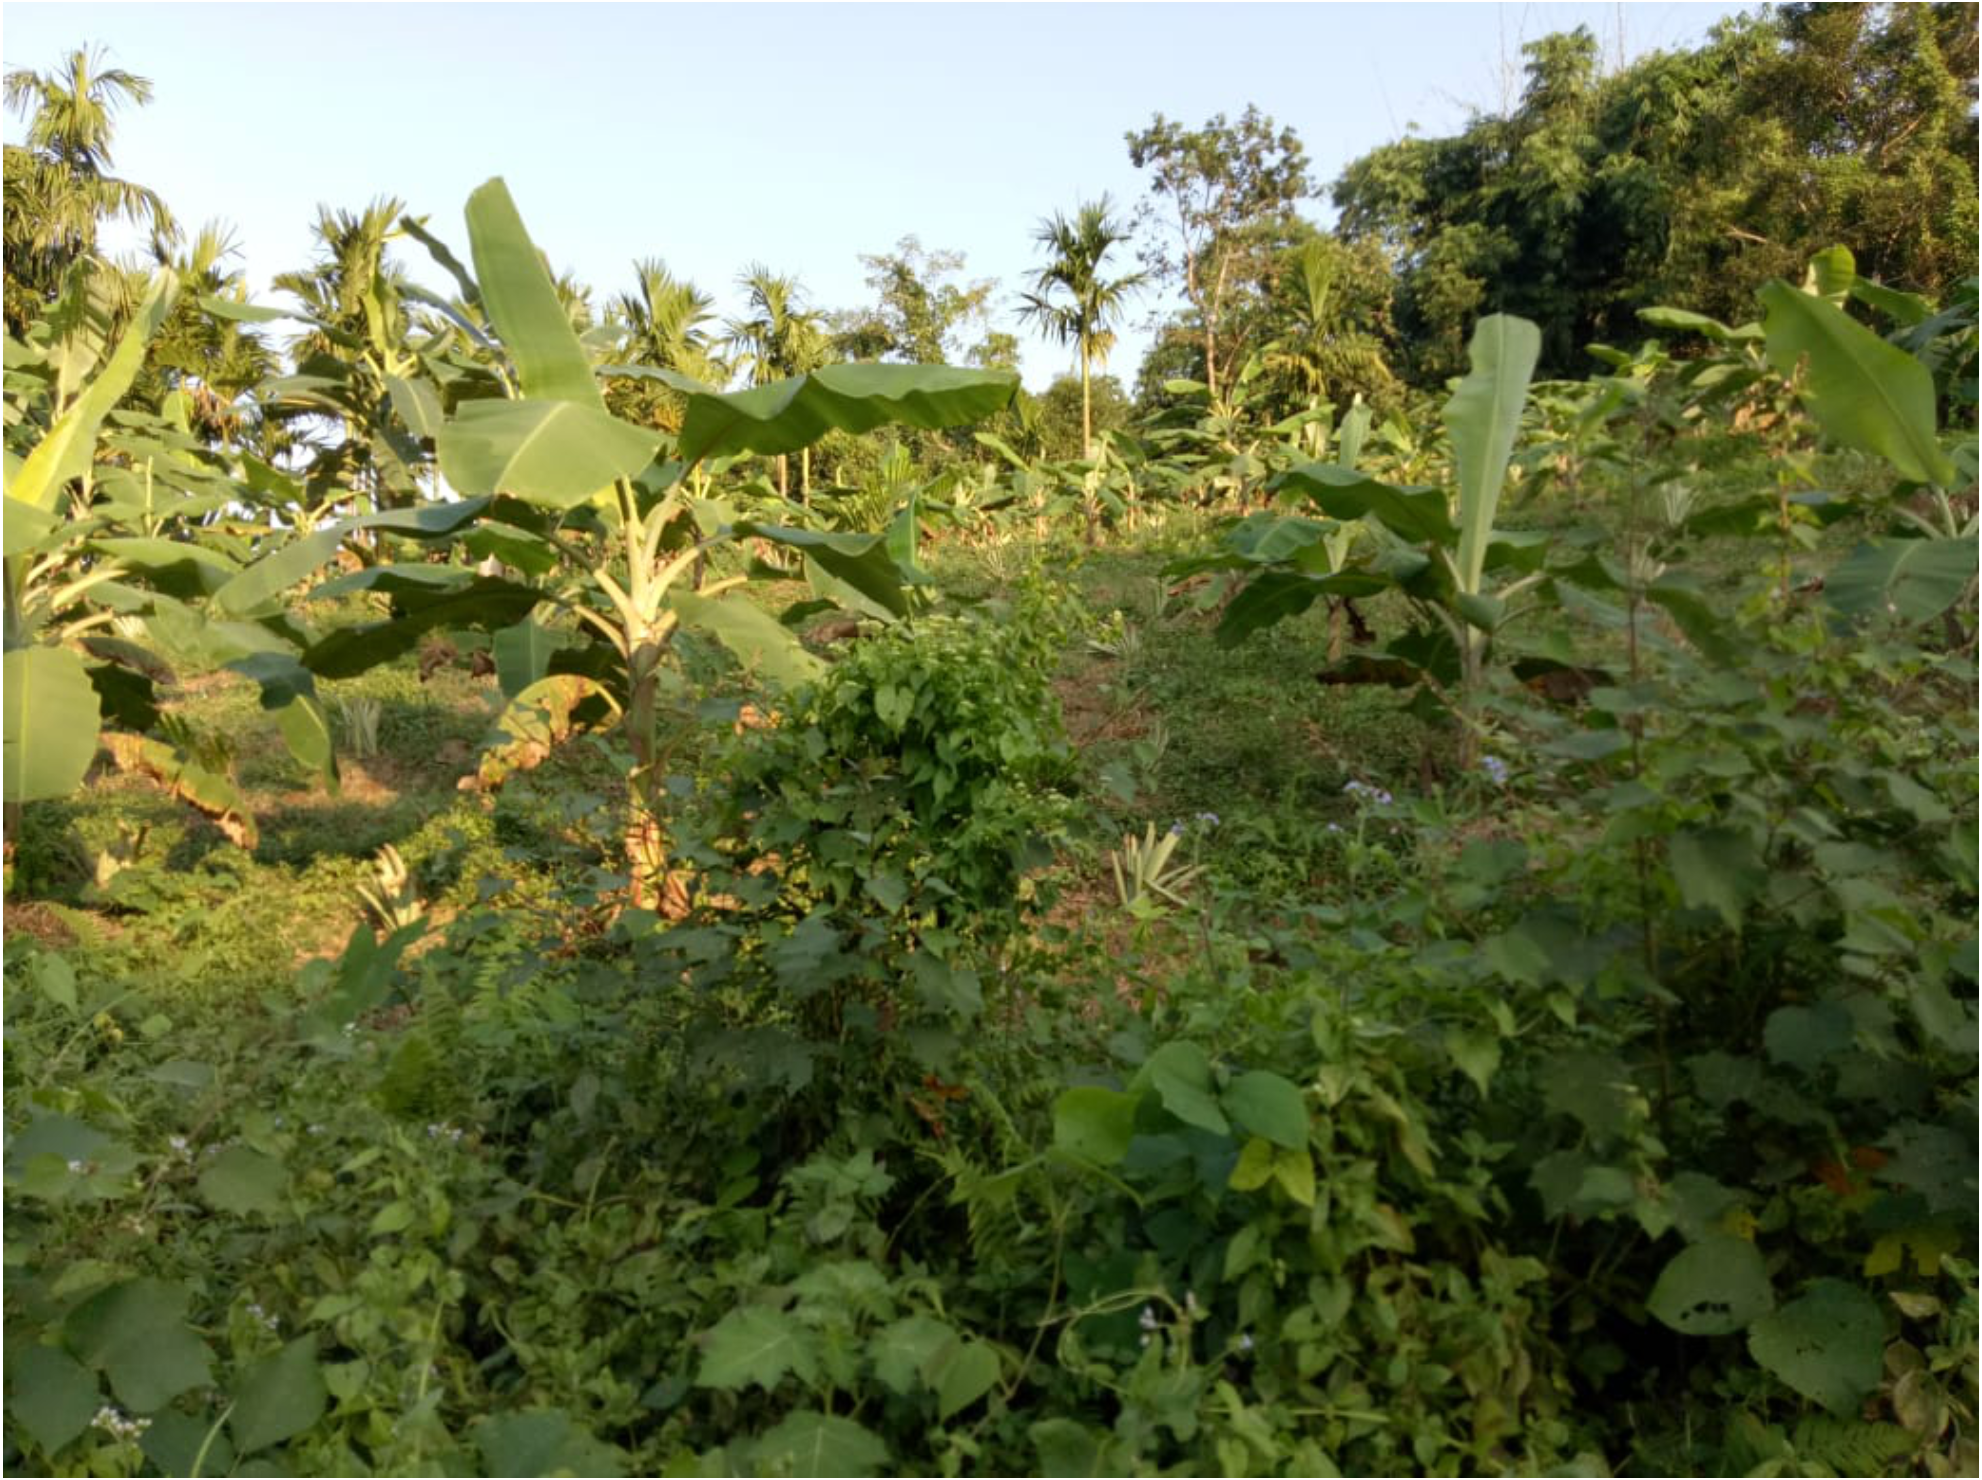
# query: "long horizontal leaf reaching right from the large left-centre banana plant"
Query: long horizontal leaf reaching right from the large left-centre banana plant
792,415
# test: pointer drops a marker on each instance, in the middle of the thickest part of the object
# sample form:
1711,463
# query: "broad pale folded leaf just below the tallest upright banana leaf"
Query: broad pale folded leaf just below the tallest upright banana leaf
550,453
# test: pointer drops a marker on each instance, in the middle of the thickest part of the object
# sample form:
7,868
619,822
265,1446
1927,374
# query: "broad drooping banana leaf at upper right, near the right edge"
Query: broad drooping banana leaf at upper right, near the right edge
1860,389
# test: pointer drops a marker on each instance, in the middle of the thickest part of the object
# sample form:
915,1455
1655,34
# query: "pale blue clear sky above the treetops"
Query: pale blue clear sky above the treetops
802,136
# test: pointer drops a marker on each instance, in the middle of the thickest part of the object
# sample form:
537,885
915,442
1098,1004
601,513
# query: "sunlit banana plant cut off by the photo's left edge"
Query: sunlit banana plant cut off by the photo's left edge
116,564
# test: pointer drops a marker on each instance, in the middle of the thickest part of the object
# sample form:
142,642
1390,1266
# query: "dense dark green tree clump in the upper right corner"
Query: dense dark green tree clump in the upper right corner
1688,177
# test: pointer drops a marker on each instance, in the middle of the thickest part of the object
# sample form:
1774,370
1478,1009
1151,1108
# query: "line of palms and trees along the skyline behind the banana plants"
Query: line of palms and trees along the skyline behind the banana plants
1688,177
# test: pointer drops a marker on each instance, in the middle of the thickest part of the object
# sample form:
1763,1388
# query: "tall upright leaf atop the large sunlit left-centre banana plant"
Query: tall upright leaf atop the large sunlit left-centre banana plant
518,294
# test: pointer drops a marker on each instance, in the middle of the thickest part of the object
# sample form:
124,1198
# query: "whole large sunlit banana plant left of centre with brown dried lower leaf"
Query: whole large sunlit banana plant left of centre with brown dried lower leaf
609,526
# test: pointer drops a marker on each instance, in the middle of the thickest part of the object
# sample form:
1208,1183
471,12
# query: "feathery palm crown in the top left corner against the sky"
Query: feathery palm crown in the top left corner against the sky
58,185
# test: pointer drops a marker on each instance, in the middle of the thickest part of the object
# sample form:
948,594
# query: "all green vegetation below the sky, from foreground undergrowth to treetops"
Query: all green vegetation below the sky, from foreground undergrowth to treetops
1398,900
